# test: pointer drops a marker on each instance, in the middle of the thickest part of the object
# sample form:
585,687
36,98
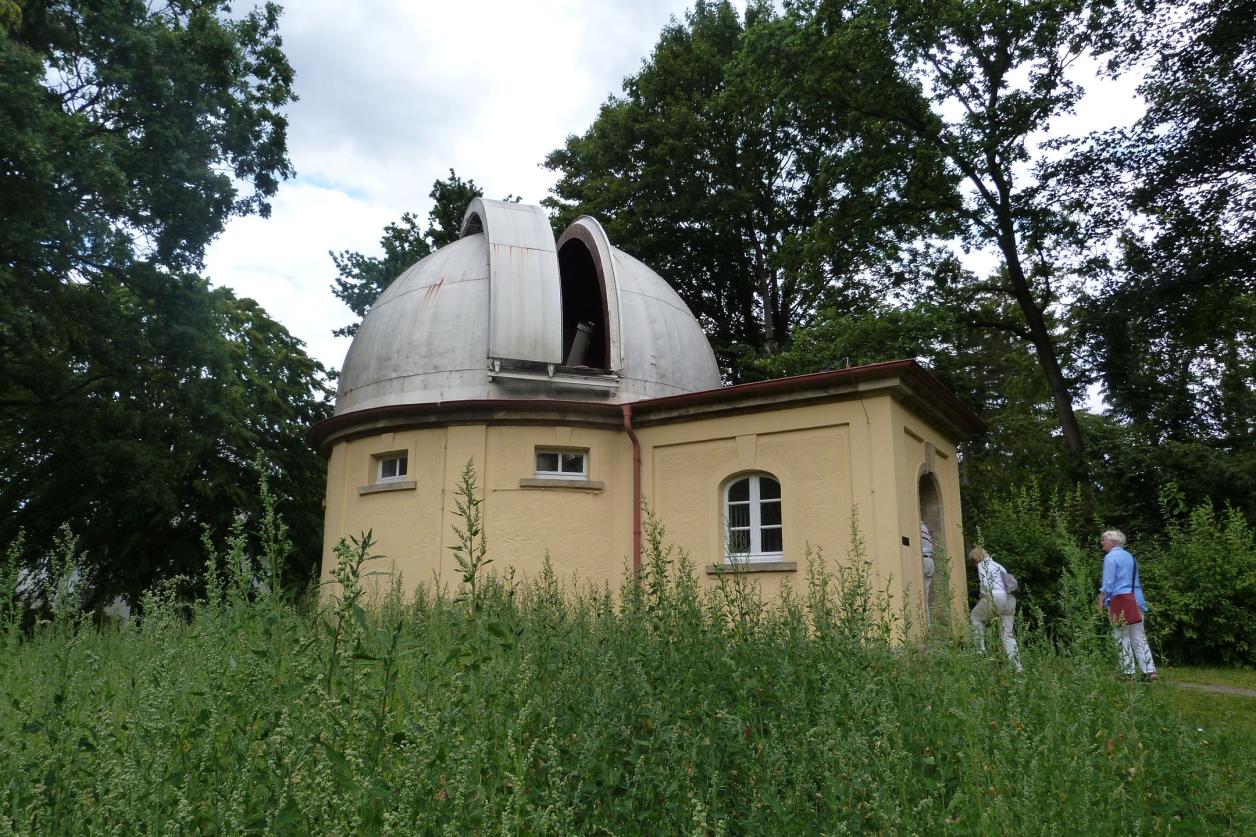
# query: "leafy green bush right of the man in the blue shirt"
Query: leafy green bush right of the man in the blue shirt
1201,584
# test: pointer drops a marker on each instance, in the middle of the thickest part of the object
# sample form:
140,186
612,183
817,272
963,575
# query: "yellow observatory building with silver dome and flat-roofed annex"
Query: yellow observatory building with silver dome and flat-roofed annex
582,388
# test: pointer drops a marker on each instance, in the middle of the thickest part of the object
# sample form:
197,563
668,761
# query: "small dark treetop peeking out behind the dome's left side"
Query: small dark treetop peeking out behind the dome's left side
364,278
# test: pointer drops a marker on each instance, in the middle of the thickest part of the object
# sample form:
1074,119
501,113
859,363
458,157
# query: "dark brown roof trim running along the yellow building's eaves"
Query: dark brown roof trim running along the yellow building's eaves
743,397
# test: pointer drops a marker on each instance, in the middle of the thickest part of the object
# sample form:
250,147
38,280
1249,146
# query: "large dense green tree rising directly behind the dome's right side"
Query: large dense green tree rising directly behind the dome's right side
759,214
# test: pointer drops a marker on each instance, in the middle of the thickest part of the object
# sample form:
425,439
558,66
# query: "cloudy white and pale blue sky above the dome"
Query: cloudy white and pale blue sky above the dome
394,94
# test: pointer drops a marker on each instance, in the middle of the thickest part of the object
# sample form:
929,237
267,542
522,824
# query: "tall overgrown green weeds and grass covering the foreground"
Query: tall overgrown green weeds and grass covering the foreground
539,708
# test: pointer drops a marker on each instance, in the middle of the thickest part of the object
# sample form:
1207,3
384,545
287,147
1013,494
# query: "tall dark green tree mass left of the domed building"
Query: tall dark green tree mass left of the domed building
135,398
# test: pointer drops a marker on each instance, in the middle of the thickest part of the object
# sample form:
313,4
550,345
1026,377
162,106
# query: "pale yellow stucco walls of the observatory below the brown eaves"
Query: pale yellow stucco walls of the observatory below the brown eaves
865,454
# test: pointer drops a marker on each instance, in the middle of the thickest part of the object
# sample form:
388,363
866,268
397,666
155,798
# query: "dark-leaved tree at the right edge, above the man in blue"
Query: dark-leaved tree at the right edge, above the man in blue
1171,322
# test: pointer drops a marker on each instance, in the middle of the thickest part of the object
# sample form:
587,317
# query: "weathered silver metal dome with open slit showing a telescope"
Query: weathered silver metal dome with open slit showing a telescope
508,314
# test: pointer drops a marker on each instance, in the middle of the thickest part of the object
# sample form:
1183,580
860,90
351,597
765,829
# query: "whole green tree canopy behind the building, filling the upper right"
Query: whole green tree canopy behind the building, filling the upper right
806,178
